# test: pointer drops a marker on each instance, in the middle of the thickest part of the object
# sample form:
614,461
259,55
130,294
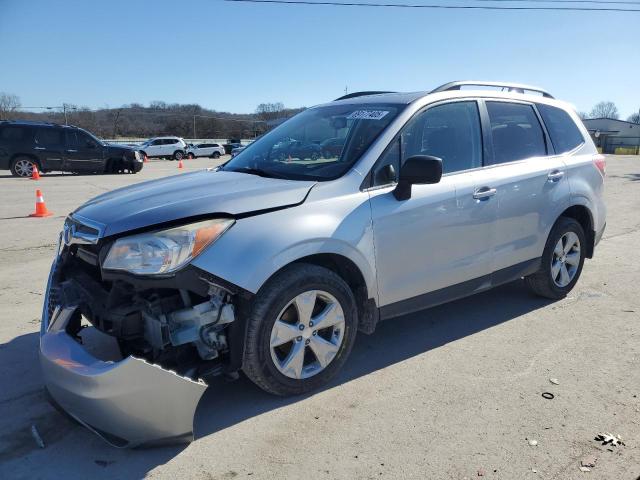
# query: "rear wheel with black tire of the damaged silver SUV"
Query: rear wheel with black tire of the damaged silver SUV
562,260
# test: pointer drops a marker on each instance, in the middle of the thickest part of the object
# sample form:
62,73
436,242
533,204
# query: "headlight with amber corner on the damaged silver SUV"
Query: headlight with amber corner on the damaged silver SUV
164,251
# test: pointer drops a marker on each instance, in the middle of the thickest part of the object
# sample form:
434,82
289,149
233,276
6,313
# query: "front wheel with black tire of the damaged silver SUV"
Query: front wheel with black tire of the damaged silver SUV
301,329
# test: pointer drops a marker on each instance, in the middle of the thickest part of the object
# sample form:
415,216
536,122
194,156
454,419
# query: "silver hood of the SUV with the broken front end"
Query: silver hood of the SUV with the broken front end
188,195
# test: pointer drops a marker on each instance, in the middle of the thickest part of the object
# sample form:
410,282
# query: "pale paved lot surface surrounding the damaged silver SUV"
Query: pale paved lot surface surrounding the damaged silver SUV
451,392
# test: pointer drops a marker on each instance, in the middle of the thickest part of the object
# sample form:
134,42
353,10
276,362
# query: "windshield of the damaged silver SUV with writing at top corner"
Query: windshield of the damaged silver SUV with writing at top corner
318,144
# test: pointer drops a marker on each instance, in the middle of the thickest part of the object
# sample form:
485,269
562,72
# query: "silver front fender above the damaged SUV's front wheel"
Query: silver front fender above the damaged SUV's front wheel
255,248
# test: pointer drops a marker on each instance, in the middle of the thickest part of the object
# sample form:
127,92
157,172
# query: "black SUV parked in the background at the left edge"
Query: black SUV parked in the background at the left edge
62,148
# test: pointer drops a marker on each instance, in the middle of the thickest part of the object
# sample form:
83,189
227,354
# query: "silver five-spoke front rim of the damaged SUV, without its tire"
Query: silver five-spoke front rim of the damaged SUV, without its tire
307,334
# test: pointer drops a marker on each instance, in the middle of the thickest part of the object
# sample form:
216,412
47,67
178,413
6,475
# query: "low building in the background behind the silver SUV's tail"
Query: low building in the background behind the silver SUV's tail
614,136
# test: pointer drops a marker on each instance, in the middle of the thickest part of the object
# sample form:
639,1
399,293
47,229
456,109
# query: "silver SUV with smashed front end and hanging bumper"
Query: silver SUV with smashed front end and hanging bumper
271,263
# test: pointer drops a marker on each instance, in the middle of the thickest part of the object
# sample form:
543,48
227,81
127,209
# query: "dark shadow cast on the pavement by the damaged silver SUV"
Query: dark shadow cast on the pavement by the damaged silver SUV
74,452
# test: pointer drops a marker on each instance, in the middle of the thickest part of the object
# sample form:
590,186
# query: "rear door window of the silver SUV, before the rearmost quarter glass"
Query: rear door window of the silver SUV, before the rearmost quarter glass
516,132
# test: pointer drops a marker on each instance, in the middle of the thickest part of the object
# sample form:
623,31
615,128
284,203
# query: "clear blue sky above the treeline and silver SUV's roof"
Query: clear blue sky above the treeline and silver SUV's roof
231,57
